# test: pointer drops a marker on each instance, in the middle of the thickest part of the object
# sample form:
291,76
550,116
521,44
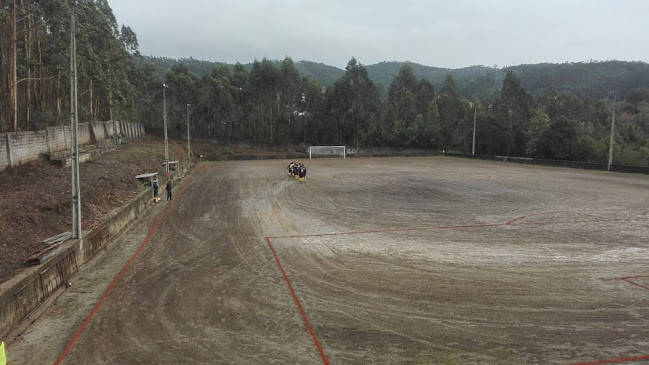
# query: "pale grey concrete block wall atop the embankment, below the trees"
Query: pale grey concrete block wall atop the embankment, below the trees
21,147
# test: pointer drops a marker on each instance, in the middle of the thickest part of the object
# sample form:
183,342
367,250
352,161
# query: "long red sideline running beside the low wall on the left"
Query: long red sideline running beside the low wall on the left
119,276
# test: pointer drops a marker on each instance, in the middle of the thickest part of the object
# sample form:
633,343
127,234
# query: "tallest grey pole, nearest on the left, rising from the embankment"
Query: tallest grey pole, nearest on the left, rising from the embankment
74,126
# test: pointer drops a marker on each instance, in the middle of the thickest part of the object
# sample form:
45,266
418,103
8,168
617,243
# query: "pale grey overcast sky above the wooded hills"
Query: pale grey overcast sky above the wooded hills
451,33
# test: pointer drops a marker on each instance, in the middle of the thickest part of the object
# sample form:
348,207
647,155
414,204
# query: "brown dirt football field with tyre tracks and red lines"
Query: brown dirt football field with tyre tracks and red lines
430,260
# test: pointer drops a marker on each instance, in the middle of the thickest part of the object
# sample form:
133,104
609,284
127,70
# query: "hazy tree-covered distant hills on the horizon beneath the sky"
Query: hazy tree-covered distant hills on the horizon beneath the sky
585,79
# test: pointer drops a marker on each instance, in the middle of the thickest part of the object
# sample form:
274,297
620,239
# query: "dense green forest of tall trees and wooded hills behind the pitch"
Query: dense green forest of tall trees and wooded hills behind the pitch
557,111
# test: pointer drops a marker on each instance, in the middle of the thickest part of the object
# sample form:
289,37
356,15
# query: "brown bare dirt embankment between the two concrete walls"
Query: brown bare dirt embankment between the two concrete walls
35,203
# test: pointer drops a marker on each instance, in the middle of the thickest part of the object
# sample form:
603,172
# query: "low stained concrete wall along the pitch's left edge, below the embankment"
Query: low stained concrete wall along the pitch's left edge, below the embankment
21,295
